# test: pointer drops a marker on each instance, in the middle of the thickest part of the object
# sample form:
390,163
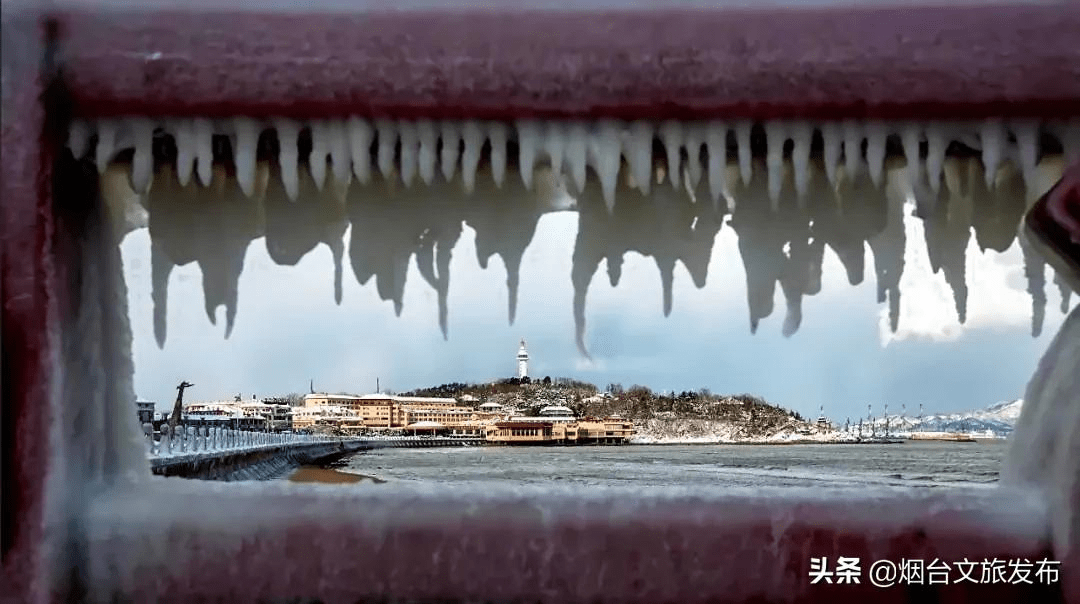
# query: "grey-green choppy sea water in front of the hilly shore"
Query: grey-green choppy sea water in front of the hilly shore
911,465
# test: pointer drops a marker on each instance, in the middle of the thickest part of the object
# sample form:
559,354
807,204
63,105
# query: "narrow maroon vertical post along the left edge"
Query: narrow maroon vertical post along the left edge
28,287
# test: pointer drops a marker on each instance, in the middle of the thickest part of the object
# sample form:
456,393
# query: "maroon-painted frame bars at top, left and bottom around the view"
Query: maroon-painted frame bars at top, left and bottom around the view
912,64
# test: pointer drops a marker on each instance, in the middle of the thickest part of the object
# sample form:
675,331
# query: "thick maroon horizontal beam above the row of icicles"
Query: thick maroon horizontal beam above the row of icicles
828,63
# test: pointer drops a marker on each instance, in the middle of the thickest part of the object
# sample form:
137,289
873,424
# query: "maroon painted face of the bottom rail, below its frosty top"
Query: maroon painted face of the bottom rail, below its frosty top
696,557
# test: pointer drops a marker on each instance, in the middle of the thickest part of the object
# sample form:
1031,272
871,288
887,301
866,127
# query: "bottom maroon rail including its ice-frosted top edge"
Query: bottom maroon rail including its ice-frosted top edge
278,542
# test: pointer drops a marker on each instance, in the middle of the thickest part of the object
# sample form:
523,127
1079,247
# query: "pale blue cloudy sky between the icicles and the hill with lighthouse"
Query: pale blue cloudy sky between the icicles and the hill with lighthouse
289,330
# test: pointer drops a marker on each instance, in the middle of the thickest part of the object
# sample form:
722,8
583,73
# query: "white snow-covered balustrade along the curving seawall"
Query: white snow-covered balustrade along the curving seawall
190,440
